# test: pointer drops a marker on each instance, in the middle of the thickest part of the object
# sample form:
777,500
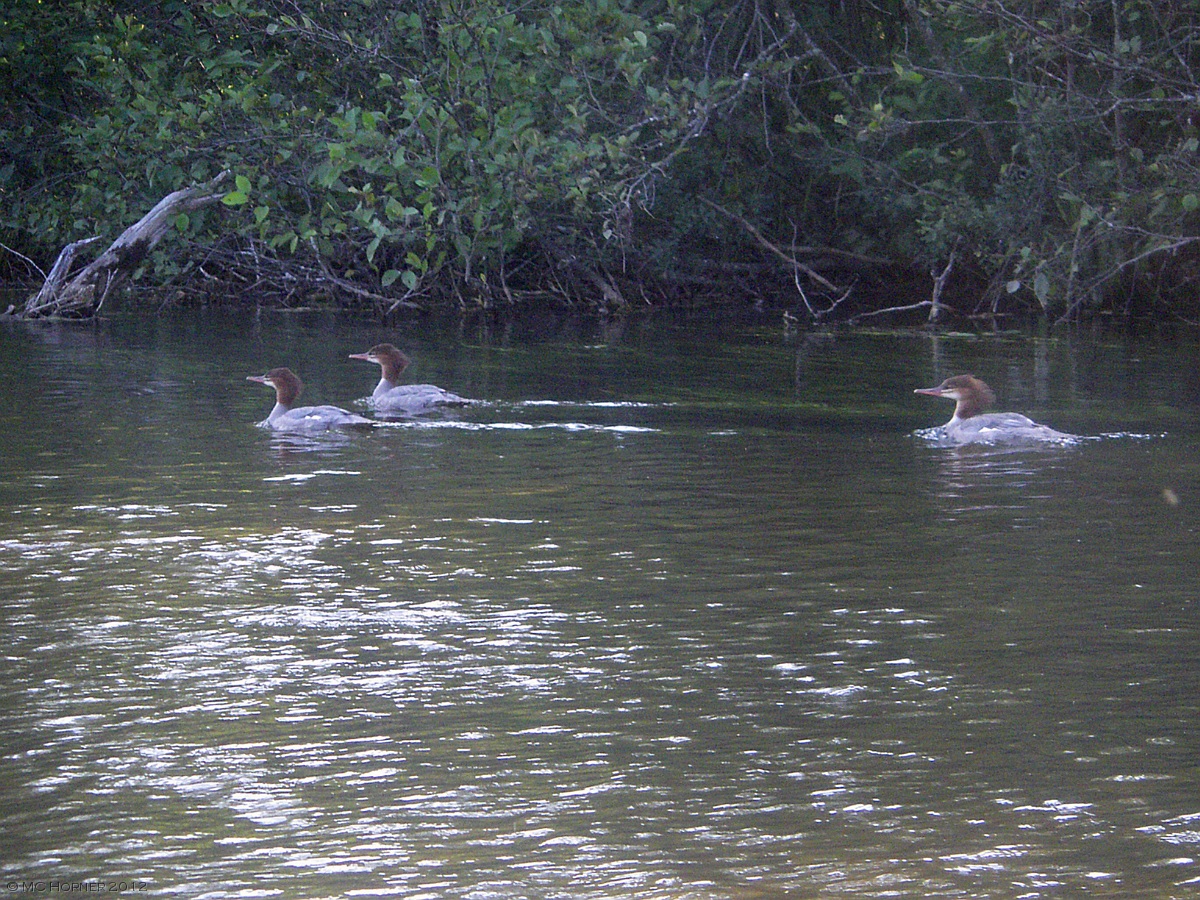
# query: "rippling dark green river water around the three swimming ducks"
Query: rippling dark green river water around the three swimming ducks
680,610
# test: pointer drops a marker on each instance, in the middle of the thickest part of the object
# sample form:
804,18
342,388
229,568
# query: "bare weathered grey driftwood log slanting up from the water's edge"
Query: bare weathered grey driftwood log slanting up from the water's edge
85,295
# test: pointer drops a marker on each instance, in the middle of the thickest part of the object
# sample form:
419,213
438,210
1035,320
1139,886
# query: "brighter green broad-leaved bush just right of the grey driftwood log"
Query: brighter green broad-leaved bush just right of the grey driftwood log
496,131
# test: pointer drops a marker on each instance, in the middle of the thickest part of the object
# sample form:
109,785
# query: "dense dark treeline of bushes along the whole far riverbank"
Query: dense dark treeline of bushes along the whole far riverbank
842,158
